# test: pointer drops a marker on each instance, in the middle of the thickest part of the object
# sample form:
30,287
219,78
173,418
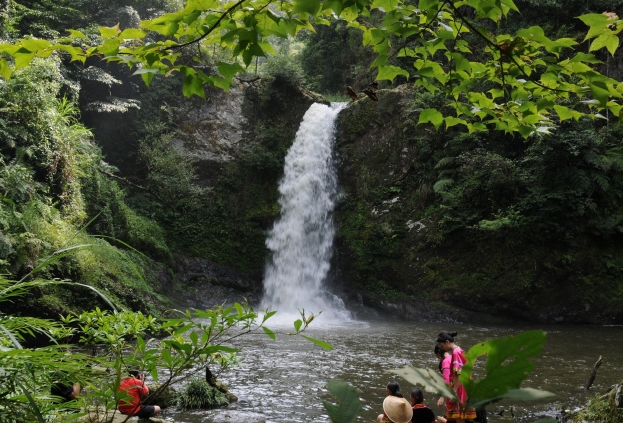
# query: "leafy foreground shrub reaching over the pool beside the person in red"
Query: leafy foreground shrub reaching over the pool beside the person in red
192,341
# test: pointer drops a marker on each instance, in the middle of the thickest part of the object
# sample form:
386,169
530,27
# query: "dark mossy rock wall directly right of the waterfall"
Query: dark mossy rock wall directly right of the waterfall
386,179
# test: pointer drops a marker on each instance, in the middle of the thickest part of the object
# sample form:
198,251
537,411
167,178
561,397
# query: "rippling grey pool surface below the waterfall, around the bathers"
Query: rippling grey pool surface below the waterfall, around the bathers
284,380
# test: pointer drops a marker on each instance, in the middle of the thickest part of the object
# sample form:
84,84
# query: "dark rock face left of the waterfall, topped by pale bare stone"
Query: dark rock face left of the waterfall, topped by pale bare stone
239,140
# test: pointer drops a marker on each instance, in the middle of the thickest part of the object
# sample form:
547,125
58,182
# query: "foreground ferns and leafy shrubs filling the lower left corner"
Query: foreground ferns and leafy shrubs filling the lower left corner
192,341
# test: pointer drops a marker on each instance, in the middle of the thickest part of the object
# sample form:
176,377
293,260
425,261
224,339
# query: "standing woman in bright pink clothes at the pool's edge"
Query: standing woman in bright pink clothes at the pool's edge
454,410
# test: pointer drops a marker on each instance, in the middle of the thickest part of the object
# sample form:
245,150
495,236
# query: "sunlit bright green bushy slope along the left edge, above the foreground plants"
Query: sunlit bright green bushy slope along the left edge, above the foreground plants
51,179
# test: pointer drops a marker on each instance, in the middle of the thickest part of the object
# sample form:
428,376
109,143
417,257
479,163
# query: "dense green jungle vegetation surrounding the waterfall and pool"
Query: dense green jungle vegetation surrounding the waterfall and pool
520,189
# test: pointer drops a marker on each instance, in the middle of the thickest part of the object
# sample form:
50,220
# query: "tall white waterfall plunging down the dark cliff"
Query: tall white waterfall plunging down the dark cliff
301,241
